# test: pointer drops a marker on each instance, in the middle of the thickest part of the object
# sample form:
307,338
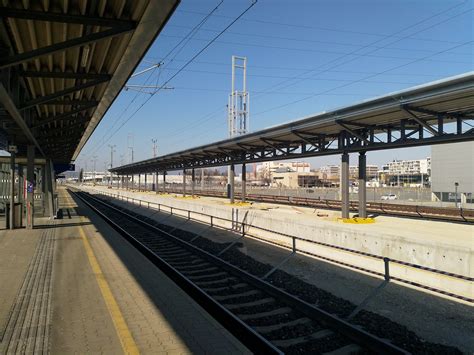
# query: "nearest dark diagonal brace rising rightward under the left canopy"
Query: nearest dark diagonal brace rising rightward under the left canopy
9,61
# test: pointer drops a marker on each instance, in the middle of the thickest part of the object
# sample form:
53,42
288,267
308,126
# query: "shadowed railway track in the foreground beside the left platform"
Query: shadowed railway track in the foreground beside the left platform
265,318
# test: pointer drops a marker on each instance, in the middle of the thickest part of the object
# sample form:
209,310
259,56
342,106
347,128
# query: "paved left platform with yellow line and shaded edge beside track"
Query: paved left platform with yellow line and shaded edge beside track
72,285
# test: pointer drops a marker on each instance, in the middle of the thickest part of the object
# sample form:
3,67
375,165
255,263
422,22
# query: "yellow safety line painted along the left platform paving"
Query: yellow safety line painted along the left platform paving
128,343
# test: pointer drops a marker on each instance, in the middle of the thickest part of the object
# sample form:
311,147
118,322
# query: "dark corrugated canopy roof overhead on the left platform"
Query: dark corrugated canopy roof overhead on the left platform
63,63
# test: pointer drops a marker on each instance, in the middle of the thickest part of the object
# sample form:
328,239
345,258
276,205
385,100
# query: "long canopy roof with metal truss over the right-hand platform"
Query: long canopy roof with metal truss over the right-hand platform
434,113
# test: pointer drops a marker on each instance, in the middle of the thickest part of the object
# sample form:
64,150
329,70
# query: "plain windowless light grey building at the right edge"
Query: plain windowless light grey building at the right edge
451,164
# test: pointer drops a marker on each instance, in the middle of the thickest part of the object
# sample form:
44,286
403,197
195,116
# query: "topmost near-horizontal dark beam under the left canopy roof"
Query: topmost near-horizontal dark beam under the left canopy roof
64,18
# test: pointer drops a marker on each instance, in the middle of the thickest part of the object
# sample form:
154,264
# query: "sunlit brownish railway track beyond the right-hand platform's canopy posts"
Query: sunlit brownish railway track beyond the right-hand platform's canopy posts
390,209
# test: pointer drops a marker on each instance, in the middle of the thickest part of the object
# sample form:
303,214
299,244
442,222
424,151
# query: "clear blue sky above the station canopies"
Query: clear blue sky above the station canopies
303,57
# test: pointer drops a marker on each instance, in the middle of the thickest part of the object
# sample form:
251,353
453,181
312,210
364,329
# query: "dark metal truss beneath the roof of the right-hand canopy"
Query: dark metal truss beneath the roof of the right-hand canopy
420,127
